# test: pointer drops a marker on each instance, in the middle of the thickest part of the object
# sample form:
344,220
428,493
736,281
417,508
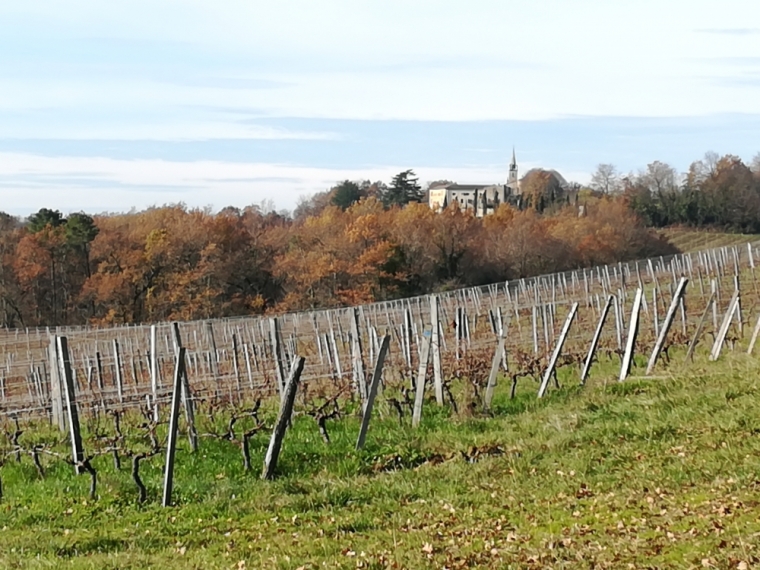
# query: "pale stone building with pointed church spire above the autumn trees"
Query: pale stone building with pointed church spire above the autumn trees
483,199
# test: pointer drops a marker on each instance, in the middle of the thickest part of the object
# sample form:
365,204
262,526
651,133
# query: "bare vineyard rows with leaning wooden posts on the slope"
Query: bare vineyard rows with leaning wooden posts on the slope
102,409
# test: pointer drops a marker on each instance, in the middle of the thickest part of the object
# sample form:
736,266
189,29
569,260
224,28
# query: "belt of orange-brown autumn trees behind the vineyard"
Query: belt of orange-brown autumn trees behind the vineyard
357,242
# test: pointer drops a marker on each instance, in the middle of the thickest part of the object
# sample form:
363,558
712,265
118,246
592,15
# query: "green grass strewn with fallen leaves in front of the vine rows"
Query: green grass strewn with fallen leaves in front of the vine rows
656,473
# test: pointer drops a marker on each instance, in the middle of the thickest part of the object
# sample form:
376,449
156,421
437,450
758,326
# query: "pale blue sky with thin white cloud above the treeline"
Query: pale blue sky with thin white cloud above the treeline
110,106
